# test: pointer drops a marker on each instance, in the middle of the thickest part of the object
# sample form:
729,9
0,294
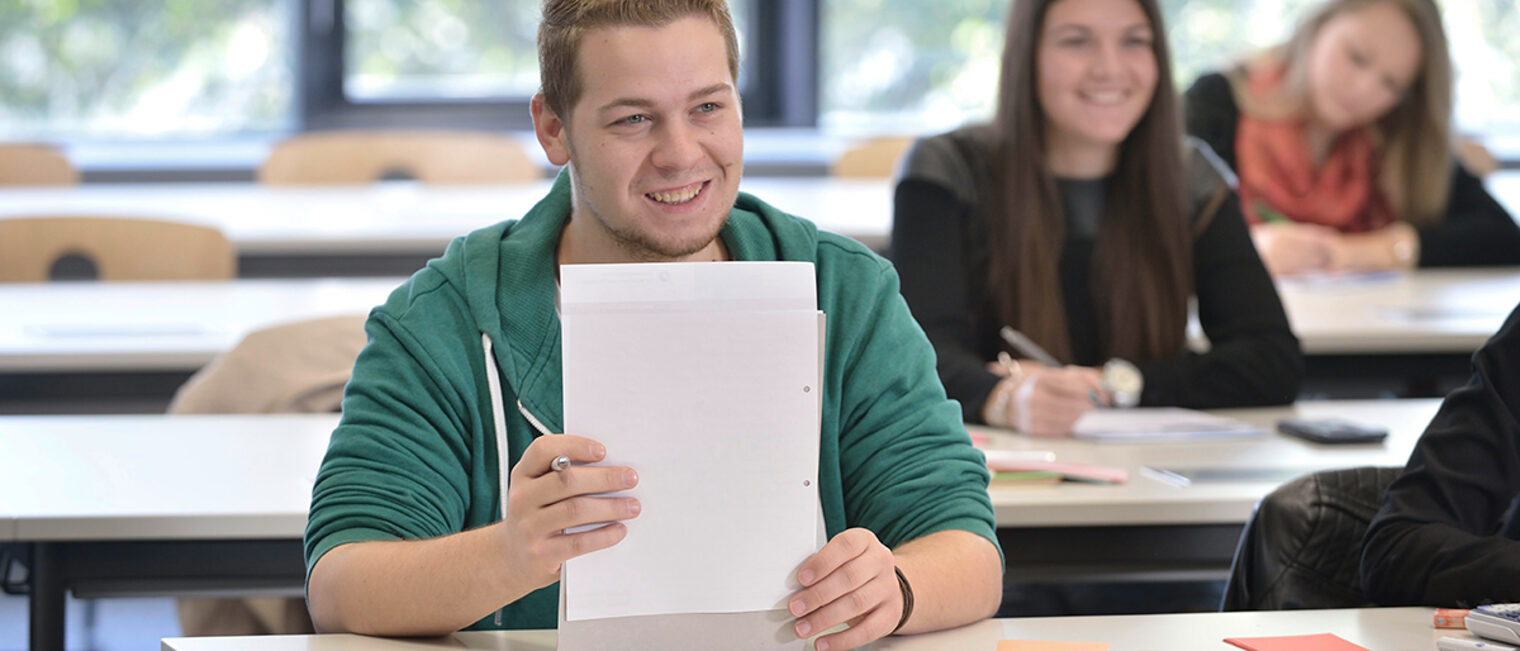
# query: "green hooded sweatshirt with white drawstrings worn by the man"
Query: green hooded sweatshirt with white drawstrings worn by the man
416,454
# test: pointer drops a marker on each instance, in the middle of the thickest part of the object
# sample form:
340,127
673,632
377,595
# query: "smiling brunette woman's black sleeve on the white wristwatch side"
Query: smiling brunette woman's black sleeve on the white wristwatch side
1253,357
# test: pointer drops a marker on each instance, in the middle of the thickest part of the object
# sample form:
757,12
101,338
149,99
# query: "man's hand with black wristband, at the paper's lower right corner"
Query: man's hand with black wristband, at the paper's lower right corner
850,580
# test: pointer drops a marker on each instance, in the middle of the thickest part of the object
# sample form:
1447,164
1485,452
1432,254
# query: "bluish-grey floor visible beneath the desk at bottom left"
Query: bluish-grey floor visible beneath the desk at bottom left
118,624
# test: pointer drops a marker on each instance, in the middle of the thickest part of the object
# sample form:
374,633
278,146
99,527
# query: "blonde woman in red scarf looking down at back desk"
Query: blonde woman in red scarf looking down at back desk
1341,139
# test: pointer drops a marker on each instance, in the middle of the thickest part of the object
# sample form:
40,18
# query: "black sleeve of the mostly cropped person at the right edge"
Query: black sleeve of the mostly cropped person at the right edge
1437,542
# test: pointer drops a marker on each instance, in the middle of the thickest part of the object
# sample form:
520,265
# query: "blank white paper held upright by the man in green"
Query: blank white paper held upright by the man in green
705,379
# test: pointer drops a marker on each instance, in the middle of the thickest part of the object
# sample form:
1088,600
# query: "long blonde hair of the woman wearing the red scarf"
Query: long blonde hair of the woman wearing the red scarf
1414,138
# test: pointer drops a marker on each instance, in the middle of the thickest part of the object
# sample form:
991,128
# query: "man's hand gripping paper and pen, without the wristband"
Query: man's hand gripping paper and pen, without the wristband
542,503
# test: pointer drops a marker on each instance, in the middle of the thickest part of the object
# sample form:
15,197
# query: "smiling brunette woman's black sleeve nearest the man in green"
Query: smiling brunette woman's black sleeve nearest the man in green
929,249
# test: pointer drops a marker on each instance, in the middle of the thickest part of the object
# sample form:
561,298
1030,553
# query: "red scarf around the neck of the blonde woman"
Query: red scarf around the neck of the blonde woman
1279,179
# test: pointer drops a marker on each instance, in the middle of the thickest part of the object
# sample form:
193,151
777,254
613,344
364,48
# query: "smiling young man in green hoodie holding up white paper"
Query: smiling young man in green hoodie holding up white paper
410,532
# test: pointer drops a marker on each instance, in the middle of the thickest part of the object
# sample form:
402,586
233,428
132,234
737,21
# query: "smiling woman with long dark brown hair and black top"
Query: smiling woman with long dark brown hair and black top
1083,220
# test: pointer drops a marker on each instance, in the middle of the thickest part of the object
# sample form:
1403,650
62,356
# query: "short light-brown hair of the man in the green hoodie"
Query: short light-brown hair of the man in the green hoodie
566,22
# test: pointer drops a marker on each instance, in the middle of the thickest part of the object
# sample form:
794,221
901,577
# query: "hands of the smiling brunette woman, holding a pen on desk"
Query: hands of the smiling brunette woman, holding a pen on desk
1042,401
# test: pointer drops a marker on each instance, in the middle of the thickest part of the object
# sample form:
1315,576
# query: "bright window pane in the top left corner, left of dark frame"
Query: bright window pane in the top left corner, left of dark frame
119,69
